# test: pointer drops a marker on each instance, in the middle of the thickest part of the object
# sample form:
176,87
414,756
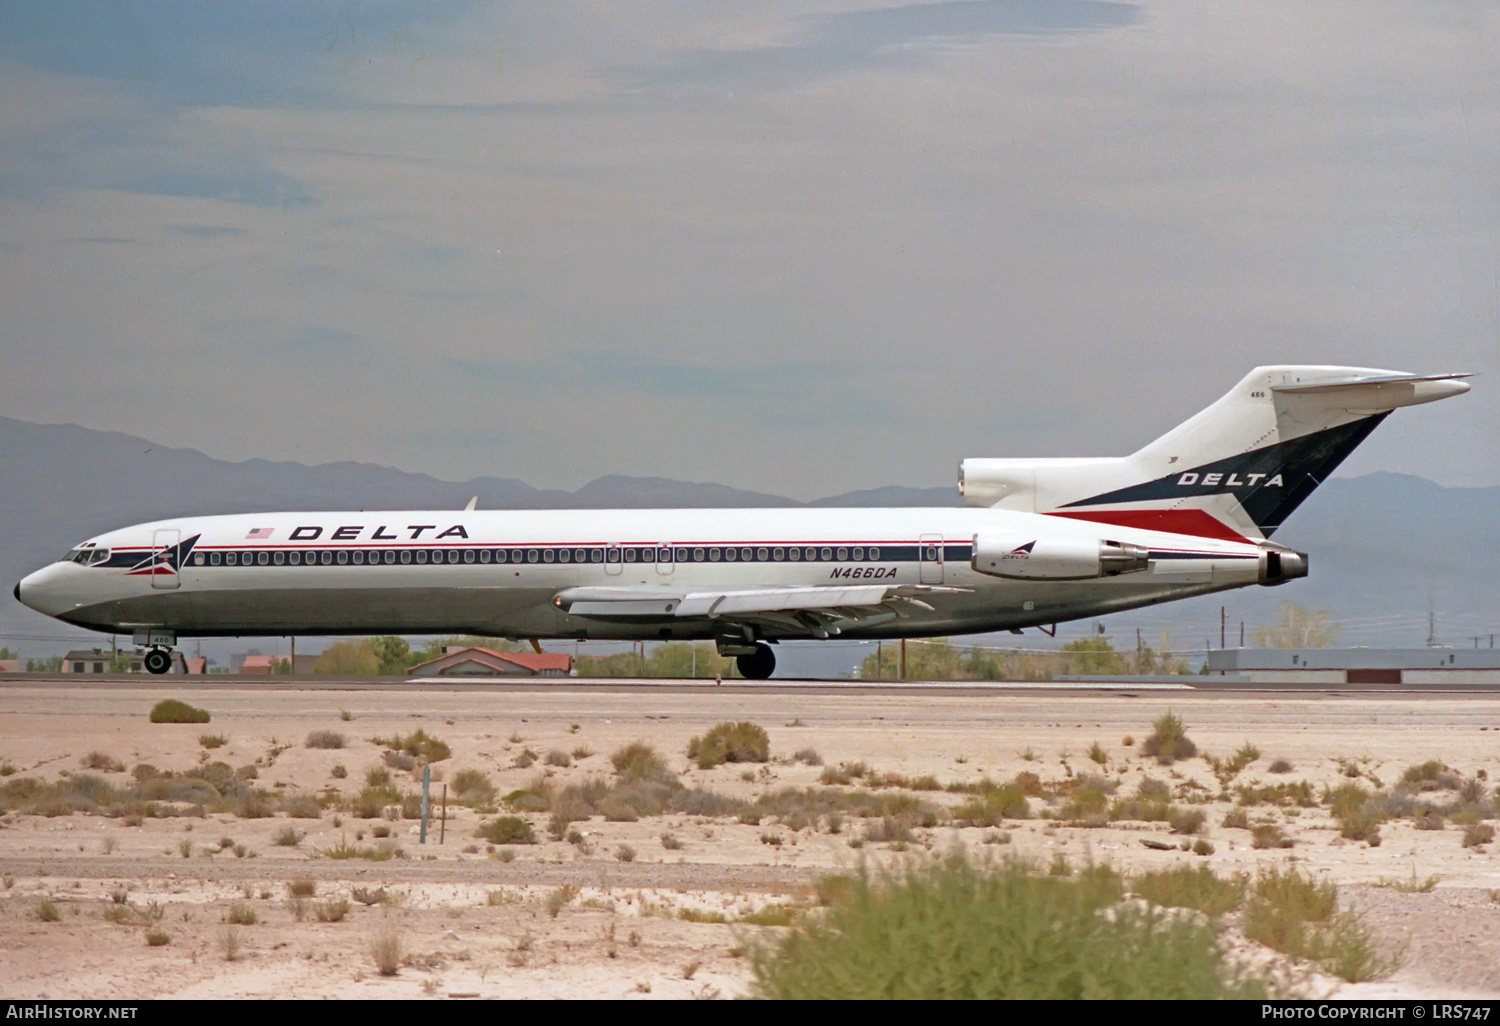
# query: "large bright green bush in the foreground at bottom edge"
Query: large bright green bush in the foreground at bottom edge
953,929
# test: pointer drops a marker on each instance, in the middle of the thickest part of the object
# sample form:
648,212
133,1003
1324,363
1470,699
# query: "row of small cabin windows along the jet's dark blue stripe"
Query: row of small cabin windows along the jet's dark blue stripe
358,557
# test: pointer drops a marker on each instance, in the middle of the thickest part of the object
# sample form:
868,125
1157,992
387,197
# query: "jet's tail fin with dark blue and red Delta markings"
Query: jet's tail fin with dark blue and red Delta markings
1237,470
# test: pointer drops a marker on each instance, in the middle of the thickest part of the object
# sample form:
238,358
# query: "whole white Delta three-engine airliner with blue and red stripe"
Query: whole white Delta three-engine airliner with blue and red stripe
1051,541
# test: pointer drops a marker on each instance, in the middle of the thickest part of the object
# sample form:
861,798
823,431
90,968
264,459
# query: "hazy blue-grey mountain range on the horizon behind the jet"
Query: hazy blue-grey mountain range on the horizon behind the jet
1384,547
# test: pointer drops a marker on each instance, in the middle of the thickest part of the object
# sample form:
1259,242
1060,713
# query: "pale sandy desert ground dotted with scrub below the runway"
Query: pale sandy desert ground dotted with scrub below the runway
640,907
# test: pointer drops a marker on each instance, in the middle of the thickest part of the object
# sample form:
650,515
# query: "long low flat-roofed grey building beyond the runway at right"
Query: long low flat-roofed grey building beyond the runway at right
1391,667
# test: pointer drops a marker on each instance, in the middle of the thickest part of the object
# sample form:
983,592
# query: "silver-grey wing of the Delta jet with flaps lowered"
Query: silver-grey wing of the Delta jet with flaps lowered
800,608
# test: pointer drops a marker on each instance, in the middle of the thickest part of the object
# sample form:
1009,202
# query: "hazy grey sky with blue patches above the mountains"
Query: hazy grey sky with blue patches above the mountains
794,247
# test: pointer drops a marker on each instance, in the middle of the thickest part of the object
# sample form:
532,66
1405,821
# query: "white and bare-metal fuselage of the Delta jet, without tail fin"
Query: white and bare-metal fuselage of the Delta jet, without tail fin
503,574
